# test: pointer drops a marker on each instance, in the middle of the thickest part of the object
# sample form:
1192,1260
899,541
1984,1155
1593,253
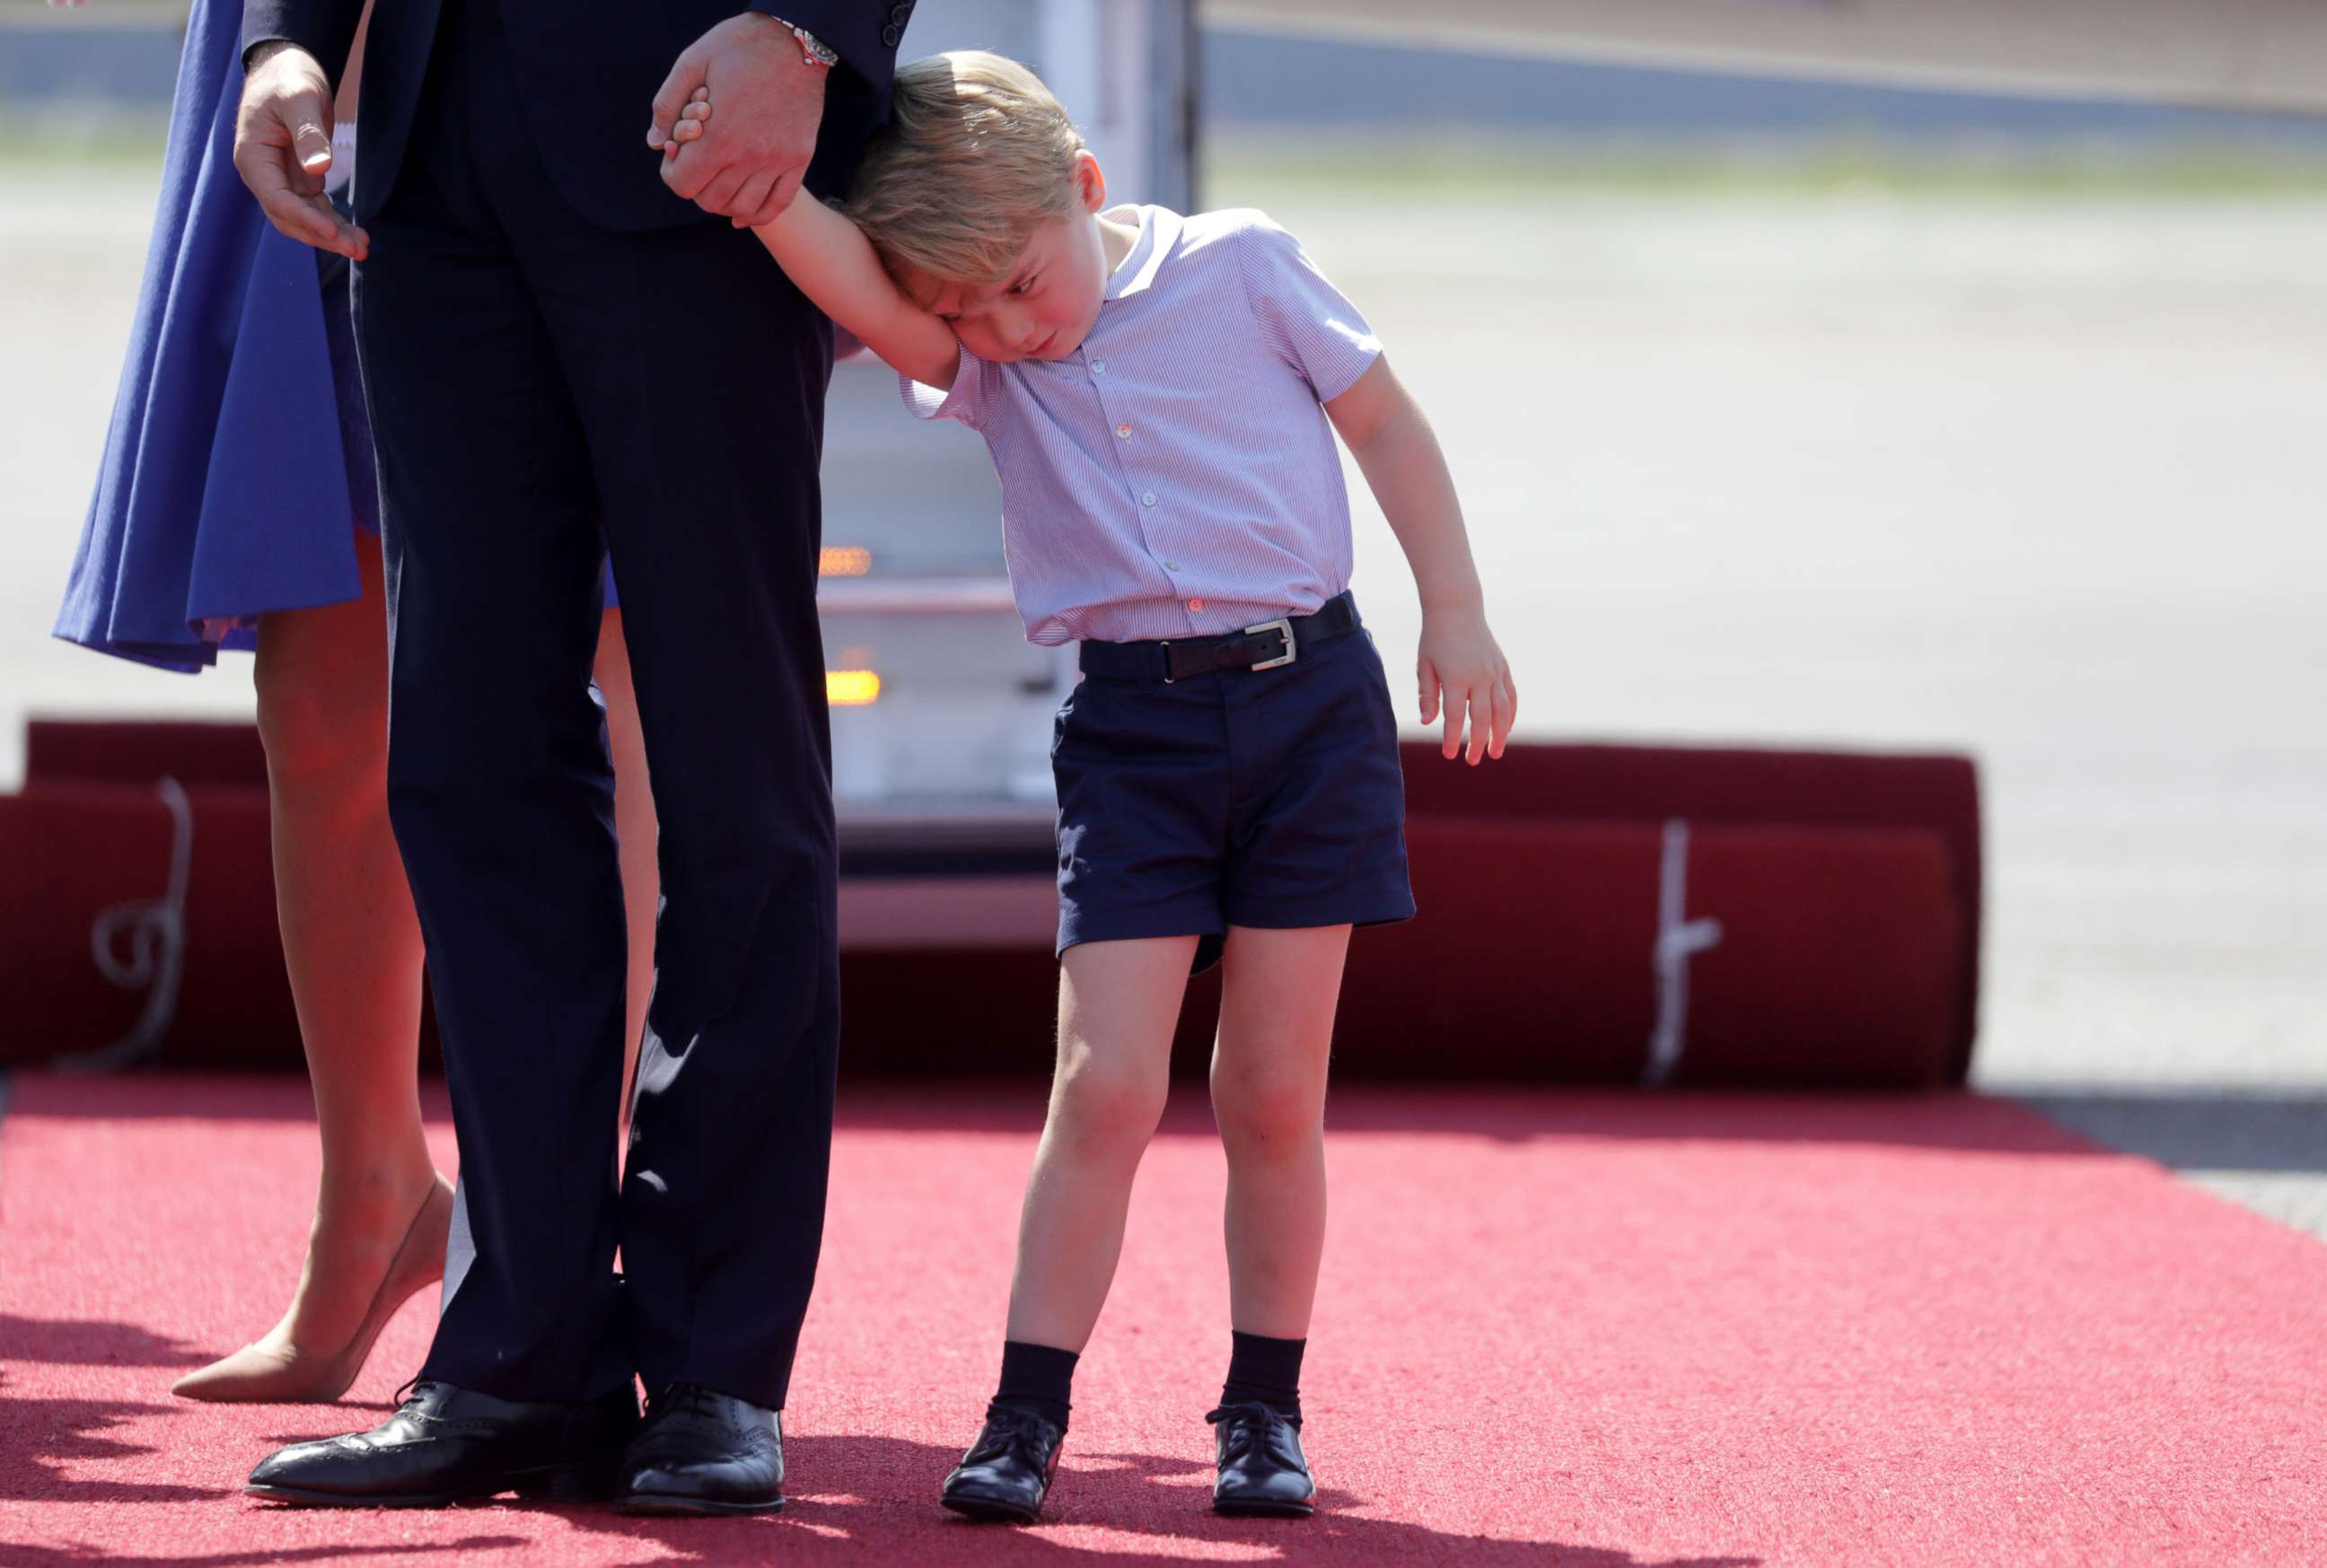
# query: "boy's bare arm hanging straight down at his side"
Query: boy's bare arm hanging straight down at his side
1409,476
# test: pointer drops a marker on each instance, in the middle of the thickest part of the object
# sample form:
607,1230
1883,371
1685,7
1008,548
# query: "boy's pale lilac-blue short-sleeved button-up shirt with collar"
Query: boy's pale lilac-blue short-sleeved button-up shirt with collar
1176,476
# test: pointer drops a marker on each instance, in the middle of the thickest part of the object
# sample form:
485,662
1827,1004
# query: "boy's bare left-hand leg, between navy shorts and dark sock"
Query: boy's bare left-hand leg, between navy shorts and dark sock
1118,1011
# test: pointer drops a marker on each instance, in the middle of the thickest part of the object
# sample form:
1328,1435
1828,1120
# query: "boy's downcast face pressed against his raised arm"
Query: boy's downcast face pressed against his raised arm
1048,304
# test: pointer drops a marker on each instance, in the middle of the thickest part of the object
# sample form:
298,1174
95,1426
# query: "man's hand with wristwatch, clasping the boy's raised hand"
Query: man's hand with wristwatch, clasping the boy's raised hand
771,104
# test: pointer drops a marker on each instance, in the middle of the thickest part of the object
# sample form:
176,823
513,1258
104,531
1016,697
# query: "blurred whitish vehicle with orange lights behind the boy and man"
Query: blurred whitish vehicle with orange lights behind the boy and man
941,708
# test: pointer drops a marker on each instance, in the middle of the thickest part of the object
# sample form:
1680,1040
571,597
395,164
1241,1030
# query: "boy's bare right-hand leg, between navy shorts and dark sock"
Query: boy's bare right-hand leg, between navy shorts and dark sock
1269,1069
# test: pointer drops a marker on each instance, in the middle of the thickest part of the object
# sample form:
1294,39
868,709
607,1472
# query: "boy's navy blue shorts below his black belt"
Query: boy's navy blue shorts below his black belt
1232,799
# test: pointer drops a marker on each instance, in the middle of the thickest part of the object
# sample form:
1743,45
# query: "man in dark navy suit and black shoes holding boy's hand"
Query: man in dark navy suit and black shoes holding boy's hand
513,252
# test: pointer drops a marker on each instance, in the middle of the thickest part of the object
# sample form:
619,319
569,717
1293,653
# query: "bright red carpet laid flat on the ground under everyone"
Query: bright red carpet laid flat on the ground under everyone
1593,1332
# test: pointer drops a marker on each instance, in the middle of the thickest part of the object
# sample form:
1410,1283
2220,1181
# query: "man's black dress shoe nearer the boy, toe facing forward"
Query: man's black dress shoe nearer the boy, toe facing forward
704,1455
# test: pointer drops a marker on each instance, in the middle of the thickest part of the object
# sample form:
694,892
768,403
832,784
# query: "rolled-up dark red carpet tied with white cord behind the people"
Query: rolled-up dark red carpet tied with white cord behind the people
1588,913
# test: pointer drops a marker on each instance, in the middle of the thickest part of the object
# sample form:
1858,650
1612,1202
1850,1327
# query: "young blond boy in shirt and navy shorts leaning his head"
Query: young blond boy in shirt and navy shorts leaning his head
1227,767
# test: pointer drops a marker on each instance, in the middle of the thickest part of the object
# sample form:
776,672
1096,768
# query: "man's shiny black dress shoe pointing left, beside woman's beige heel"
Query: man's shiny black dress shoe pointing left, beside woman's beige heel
448,1446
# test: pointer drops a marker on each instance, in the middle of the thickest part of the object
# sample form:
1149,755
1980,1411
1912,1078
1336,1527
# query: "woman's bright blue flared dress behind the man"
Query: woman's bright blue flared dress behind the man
239,464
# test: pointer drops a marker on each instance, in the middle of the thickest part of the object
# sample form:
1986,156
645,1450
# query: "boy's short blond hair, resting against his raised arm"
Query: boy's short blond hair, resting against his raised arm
976,157
